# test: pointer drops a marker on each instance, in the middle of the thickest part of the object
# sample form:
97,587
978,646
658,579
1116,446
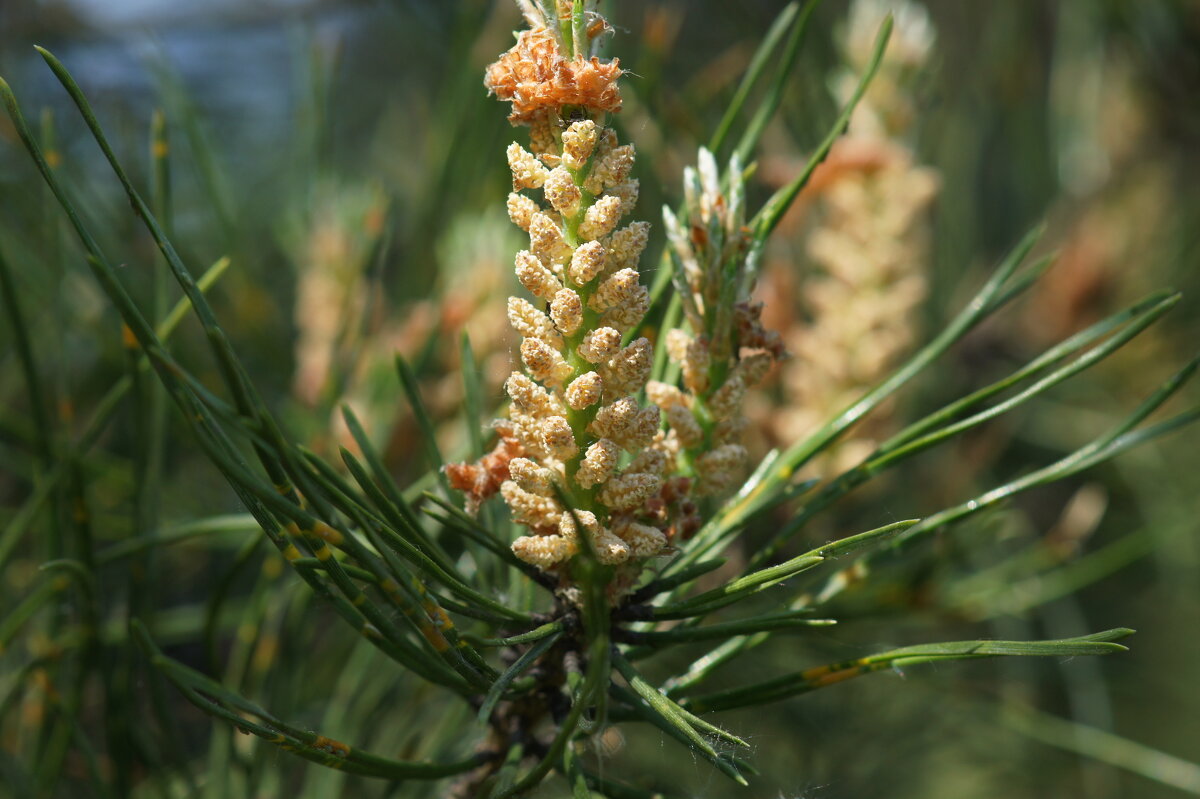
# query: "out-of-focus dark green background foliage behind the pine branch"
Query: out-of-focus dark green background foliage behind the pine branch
345,159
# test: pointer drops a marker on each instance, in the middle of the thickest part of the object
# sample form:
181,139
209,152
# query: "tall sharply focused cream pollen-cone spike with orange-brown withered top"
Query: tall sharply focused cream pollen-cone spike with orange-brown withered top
574,417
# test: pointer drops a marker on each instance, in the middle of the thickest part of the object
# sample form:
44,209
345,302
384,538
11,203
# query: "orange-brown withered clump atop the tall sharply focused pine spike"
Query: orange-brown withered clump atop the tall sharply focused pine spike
535,77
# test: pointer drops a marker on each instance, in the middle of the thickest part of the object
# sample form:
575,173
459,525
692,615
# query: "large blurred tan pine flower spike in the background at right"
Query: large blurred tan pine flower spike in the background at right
869,243
